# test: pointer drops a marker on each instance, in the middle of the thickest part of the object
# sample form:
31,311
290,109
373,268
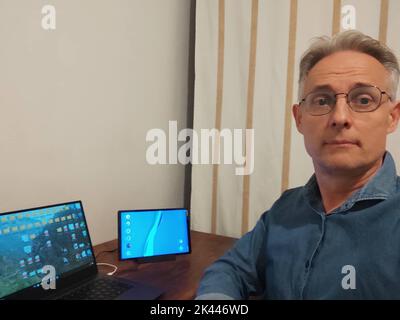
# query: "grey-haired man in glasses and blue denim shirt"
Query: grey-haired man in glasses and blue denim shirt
337,237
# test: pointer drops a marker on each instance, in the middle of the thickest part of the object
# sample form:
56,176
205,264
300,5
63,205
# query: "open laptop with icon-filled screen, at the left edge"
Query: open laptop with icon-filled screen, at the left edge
46,253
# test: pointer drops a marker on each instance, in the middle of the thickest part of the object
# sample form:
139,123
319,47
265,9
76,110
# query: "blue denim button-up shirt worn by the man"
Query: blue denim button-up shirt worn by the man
296,251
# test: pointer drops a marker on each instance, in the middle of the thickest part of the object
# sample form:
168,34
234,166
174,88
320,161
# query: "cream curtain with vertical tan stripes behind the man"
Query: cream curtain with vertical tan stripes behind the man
247,57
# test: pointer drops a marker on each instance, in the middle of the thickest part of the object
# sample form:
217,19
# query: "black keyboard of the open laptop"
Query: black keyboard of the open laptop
98,289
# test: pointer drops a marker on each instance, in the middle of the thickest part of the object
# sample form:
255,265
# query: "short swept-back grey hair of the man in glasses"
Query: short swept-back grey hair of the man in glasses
349,40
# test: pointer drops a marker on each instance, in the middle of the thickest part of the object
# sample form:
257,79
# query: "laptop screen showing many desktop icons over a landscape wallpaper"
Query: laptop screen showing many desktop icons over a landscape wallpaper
31,239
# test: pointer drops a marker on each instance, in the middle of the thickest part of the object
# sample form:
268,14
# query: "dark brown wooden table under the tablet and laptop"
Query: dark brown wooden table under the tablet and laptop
178,278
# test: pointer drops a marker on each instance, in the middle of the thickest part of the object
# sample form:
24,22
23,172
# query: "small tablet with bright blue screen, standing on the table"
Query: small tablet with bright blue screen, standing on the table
149,233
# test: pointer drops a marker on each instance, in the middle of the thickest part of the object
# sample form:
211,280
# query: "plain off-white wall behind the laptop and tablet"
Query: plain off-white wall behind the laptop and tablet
76,103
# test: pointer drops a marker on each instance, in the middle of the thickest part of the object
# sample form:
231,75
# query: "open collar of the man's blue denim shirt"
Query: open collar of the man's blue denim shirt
380,187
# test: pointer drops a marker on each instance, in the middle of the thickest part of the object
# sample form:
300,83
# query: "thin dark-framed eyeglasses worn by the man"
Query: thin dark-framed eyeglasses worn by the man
359,99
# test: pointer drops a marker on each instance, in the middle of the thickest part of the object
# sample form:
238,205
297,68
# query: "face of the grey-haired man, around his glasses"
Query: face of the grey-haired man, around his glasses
325,136
